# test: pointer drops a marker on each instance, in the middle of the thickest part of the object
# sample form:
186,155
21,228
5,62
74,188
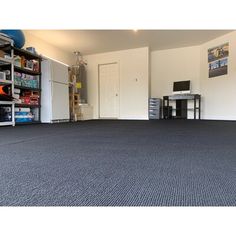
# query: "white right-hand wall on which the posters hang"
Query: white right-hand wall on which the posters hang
219,93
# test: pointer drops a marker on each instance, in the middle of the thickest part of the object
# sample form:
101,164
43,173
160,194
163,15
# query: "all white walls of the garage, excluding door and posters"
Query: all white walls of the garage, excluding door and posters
189,63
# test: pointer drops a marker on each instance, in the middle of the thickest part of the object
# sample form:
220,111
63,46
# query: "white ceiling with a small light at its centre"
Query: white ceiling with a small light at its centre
99,41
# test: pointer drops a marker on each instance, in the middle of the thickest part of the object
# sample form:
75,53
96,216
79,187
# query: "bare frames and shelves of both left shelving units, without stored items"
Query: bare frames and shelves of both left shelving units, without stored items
7,63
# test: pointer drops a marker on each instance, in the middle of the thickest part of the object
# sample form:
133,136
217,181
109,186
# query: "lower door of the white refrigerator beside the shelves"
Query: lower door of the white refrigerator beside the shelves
60,101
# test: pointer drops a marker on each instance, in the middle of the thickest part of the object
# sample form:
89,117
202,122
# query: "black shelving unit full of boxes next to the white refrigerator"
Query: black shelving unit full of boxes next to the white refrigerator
27,81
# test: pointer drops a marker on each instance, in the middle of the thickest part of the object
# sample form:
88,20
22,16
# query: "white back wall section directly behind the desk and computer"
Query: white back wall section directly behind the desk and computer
172,65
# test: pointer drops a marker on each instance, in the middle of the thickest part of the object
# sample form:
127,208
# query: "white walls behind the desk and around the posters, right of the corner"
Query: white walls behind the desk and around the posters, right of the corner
218,93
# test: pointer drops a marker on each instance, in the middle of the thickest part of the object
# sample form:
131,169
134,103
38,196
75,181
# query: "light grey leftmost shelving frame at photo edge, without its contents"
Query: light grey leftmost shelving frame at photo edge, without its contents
6,46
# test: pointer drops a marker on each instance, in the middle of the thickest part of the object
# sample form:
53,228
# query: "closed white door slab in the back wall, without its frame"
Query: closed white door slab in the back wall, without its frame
109,91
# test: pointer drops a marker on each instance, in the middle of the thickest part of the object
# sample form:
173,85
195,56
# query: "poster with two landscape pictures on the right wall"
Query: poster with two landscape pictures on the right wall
218,60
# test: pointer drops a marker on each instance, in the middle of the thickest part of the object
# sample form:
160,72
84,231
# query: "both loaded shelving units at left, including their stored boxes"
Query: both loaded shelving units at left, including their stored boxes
20,84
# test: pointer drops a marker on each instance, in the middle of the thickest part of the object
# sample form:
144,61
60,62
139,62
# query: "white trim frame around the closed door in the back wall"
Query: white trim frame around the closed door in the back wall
118,100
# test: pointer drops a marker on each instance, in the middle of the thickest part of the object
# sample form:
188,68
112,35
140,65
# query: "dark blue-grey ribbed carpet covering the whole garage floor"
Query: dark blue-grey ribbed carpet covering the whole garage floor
119,163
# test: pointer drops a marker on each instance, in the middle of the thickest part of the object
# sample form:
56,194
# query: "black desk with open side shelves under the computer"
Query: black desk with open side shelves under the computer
181,105
